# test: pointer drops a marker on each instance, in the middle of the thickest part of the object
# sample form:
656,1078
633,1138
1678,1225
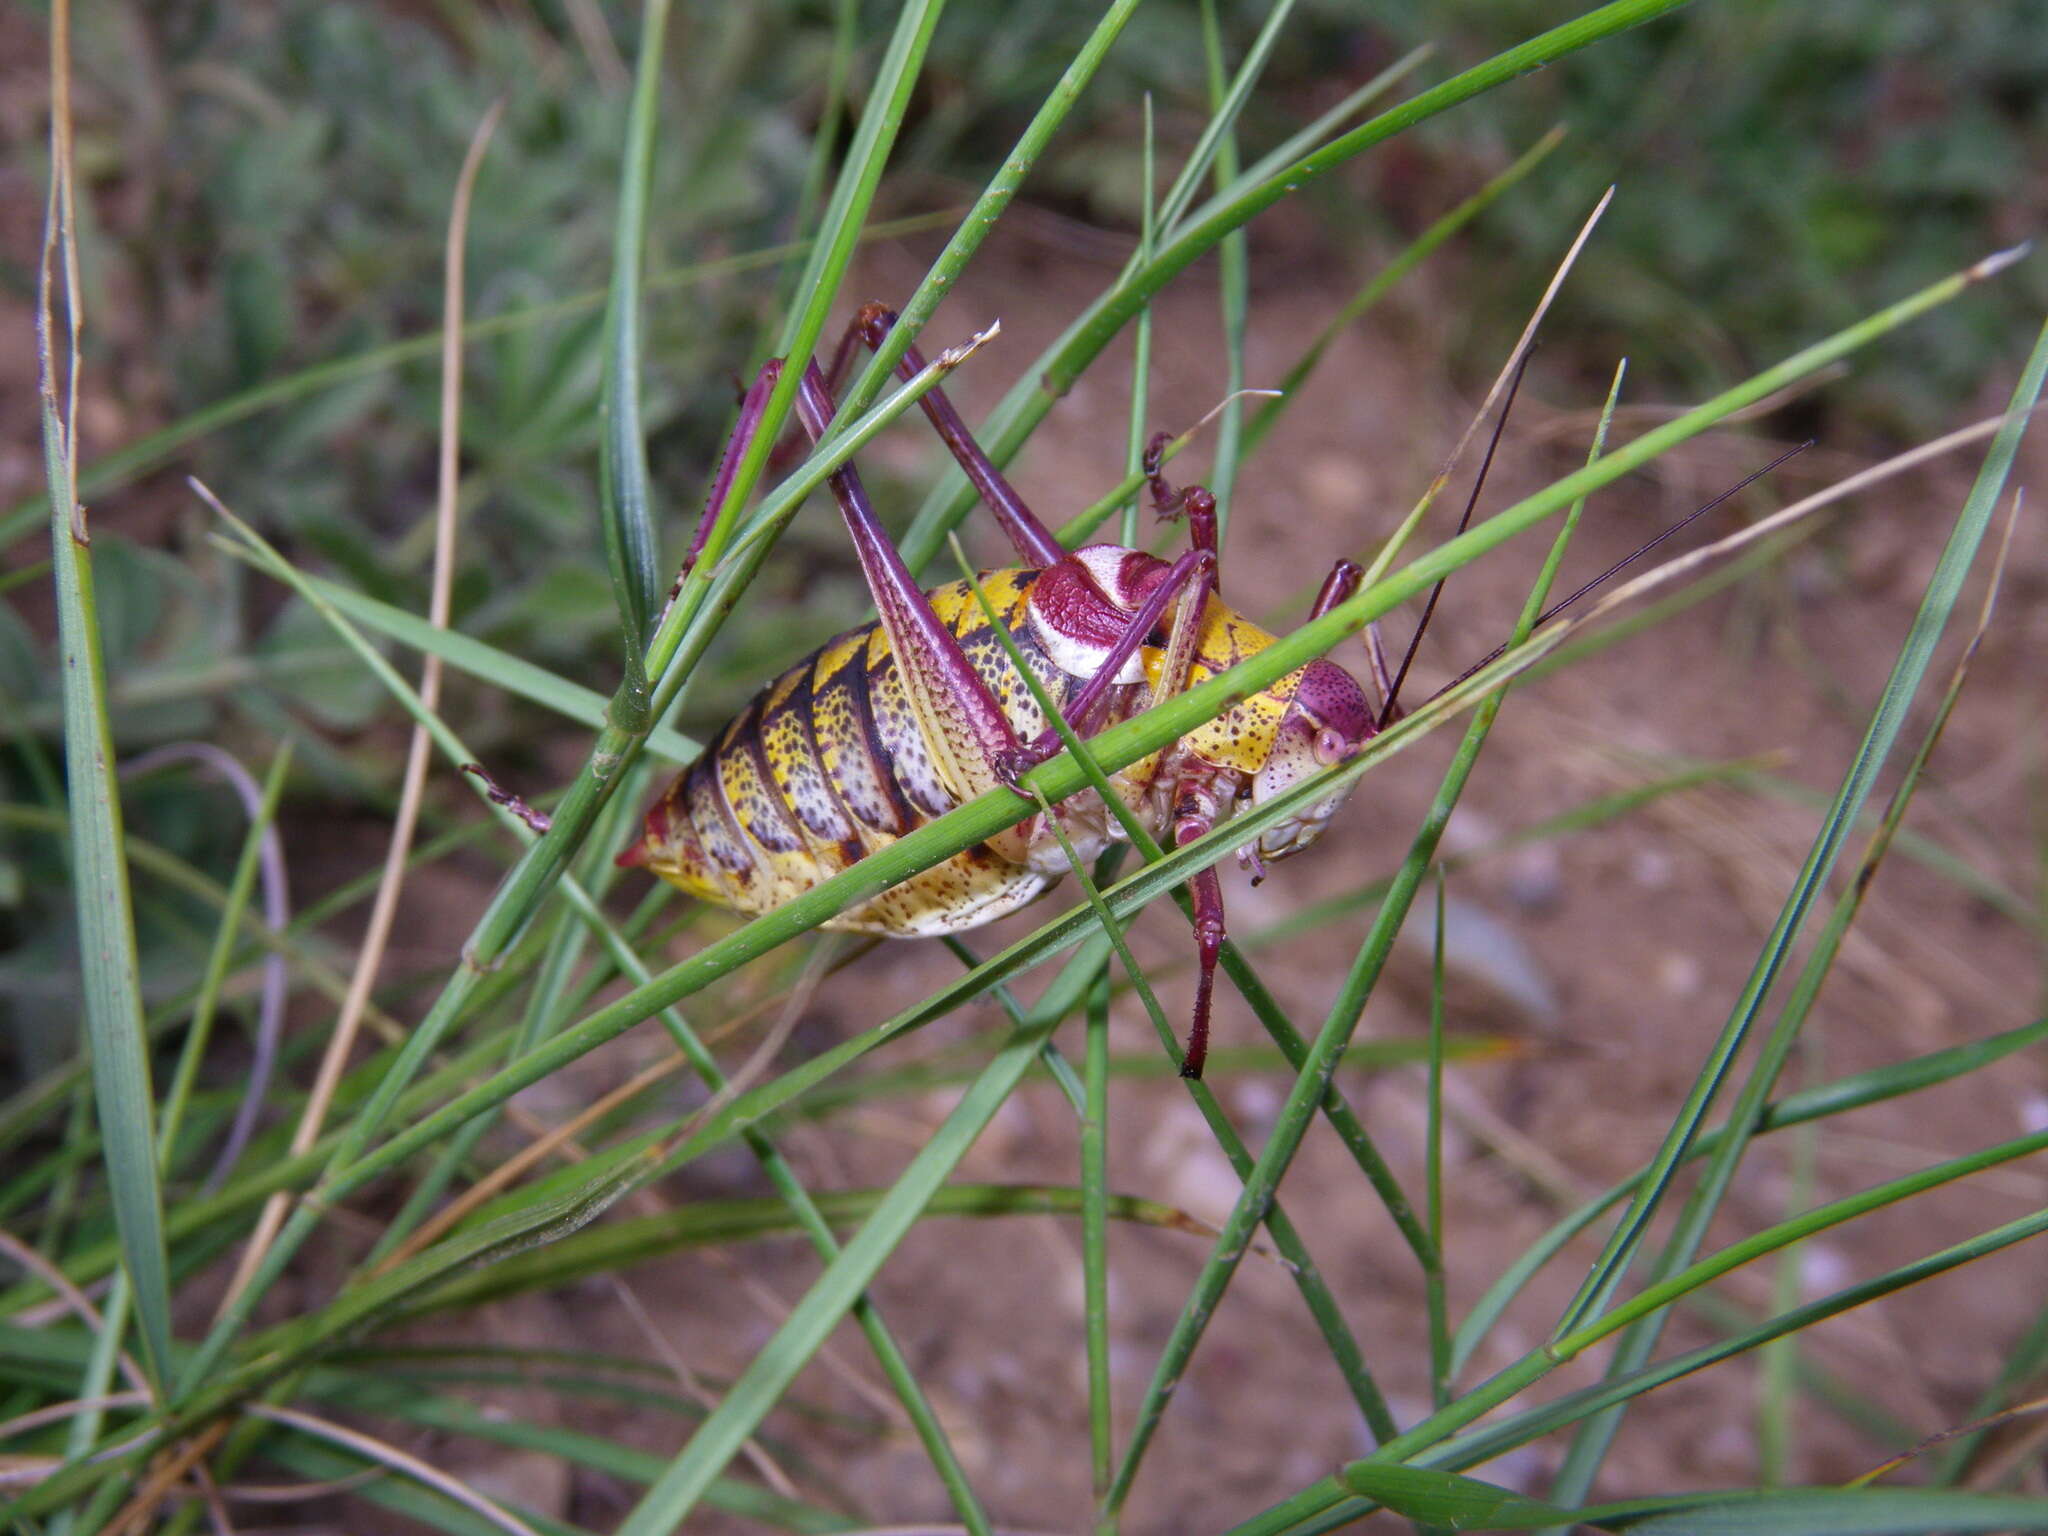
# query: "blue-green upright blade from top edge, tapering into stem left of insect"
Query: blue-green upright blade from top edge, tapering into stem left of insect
626,507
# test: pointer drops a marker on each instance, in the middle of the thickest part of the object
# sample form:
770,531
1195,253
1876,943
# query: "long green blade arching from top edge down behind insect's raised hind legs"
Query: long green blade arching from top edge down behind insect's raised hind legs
1078,347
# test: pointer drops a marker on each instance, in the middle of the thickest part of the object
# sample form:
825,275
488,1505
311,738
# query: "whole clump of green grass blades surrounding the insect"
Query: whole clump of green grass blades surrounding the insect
112,1166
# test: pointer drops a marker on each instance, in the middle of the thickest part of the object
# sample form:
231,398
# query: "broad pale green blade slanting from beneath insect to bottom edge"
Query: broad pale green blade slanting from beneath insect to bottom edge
763,1383
